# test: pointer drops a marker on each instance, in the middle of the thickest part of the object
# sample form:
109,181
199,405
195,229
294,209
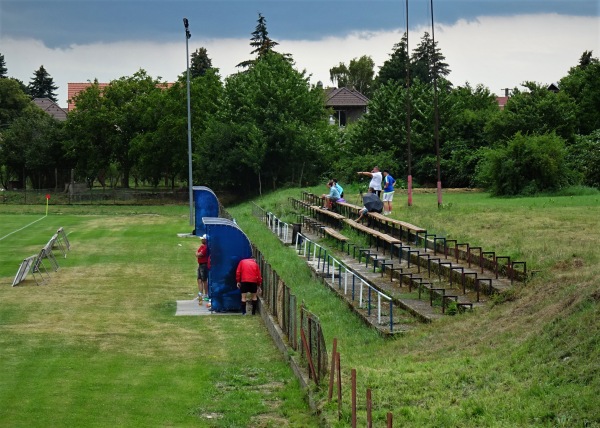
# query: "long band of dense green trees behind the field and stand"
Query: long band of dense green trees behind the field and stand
266,127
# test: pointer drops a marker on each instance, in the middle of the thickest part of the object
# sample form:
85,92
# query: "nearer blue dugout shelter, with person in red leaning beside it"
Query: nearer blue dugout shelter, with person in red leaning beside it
227,244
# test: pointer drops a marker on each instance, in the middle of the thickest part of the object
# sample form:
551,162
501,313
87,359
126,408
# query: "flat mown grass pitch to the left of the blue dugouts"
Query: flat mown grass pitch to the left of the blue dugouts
98,345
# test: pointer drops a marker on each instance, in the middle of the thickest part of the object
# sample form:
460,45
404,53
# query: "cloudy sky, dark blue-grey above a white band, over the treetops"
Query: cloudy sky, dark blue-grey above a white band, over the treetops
497,43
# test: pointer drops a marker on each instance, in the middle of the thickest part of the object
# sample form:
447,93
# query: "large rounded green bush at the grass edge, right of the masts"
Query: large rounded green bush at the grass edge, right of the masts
524,166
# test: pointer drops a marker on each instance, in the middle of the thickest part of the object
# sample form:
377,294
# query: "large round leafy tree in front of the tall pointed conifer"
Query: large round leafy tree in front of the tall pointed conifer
269,122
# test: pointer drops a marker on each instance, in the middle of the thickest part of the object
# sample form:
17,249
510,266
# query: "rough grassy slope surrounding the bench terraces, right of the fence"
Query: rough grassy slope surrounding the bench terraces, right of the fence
531,361
